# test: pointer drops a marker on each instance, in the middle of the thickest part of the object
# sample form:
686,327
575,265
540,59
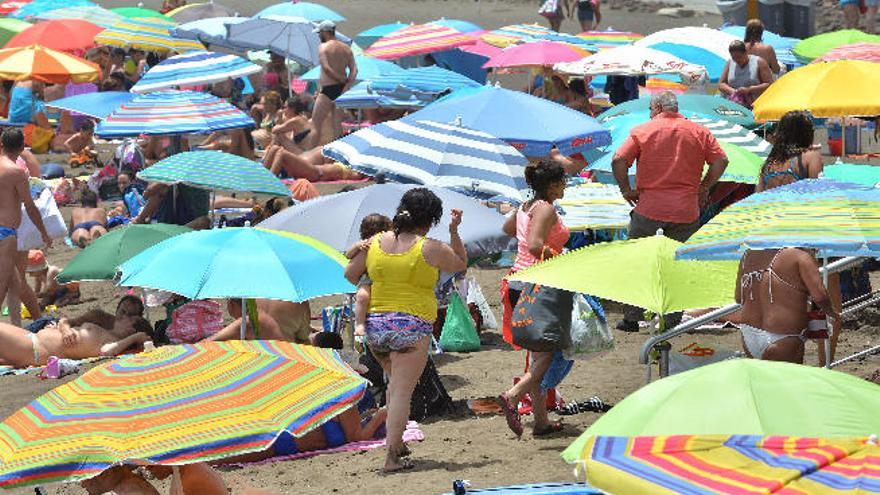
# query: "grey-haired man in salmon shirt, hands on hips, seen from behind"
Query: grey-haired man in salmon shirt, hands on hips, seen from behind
670,186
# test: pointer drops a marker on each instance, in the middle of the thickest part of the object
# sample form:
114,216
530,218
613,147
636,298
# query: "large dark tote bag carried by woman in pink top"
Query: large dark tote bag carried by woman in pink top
541,319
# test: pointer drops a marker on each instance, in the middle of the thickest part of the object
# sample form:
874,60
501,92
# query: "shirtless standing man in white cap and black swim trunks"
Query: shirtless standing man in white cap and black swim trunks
338,73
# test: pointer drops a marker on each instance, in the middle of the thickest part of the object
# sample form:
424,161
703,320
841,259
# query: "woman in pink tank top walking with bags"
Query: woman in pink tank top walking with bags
540,234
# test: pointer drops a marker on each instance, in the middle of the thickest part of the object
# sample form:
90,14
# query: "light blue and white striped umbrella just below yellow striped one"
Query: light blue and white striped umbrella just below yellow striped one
194,68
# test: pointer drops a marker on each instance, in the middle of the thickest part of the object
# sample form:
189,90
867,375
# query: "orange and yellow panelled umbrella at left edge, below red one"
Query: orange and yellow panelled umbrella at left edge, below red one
43,64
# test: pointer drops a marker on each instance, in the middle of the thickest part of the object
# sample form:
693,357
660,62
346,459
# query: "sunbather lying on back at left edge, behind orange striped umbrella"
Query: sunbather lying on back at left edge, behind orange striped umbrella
20,348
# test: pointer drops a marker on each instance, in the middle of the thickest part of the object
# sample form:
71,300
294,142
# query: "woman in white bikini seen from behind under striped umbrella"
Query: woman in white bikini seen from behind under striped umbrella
774,289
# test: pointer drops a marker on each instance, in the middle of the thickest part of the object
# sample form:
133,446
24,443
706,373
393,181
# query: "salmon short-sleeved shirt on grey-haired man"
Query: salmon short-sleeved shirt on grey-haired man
671,151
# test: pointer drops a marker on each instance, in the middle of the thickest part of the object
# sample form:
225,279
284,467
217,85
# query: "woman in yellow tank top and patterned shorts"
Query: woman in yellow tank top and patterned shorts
404,267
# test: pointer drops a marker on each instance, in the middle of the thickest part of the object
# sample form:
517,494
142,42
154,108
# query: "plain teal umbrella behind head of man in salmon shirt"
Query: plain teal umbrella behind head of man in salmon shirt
713,107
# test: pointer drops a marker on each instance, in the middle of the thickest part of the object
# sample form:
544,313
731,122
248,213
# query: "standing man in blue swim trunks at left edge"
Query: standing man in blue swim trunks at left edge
14,192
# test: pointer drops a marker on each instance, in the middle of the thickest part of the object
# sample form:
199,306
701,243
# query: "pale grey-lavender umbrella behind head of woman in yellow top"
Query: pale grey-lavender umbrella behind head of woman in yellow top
335,219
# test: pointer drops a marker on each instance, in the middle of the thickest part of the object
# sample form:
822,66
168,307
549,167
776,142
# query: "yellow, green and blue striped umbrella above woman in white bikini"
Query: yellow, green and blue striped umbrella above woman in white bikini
835,218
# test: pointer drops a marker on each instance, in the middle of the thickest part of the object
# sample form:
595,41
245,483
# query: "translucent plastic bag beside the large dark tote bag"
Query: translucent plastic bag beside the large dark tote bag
590,336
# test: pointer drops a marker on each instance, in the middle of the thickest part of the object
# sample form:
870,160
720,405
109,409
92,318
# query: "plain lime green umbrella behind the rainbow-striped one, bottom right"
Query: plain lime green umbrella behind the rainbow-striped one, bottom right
744,397
